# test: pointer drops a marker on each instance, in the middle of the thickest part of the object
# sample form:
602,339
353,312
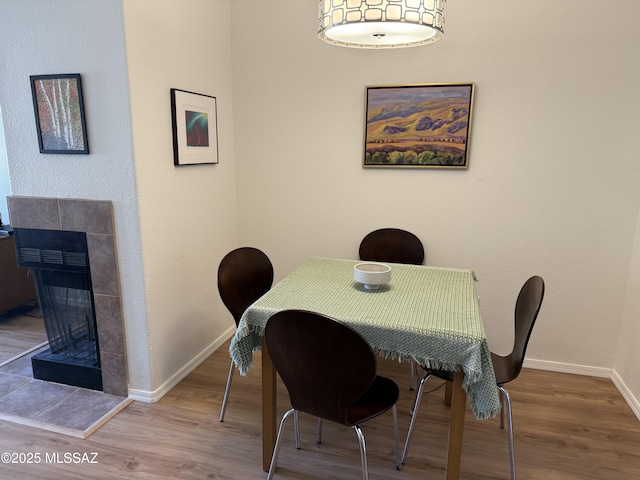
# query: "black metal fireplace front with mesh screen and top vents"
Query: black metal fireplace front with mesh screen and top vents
59,261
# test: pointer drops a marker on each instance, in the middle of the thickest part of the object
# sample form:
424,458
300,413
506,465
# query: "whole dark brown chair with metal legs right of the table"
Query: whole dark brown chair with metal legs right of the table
506,368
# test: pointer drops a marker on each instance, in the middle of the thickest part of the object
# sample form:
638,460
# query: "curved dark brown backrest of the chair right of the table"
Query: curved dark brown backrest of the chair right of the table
526,311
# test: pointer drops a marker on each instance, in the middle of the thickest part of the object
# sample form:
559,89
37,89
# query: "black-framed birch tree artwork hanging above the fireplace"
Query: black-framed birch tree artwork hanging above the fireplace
59,111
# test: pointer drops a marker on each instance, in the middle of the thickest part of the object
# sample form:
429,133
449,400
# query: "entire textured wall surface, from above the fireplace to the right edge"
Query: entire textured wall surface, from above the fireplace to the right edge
551,188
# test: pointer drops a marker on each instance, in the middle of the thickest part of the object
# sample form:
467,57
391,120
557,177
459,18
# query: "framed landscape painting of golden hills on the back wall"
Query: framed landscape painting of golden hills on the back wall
418,126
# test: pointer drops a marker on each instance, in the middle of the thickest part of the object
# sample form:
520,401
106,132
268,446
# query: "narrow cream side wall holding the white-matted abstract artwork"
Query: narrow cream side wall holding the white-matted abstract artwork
187,214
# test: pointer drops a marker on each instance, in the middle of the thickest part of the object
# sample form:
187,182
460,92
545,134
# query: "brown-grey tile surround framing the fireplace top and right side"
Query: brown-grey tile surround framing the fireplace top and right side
95,218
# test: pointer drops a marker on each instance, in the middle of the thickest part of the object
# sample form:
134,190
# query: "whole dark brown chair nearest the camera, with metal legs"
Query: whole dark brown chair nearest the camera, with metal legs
329,371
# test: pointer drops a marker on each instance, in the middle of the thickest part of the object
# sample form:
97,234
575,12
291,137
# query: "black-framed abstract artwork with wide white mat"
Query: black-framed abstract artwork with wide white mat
195,128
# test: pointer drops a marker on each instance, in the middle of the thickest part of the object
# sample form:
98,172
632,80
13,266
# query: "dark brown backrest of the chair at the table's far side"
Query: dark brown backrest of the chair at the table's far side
392,245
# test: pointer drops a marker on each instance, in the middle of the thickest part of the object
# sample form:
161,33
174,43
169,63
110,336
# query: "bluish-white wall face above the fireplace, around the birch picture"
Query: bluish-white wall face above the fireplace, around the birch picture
74,36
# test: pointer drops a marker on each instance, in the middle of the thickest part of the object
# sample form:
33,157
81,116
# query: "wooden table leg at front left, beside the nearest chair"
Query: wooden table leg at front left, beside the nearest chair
268,407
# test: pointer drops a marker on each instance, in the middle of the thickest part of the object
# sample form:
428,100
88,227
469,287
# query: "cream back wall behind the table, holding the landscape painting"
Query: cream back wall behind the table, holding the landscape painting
552,186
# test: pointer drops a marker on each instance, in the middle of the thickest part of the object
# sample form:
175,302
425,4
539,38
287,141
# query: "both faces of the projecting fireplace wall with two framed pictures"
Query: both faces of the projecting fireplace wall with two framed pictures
173,225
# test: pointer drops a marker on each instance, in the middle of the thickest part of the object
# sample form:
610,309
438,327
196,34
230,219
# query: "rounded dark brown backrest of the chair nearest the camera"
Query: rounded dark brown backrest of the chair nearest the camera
325,365
